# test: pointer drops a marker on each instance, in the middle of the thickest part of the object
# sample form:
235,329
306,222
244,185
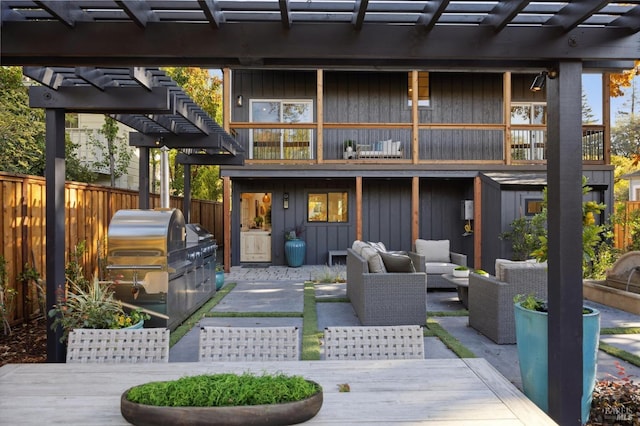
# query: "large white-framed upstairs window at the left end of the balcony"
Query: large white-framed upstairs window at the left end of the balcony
281,144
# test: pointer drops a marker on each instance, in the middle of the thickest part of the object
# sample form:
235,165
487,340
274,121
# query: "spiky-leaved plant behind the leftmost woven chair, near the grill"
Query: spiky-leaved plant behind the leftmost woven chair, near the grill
92,306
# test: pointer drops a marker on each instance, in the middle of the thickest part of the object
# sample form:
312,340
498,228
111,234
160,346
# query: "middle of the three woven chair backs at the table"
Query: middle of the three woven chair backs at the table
249,344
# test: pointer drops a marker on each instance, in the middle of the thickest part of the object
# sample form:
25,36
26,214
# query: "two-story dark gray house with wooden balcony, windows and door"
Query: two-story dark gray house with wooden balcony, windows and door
390,156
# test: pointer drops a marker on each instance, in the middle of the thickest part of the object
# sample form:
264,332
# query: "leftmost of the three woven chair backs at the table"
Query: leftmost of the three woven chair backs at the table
118,346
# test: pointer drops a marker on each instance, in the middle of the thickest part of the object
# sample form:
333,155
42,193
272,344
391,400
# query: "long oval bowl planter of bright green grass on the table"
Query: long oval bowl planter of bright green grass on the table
223,399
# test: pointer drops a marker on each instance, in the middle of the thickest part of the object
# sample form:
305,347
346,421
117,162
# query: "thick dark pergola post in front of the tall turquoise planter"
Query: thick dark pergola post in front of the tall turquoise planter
564,169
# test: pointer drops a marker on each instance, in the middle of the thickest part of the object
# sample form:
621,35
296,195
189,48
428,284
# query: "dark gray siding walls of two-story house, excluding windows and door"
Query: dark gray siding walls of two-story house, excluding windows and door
460,137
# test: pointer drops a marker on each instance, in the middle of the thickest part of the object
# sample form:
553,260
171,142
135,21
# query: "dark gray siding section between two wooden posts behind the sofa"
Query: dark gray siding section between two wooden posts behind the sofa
386,212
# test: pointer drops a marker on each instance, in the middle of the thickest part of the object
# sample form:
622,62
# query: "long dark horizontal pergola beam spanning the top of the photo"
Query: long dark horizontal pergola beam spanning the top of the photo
312,45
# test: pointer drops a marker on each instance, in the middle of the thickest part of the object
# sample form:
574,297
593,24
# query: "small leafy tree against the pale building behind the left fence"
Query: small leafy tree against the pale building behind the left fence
116,155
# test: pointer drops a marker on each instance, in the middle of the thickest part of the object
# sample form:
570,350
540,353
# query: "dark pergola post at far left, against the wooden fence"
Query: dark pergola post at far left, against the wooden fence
55,218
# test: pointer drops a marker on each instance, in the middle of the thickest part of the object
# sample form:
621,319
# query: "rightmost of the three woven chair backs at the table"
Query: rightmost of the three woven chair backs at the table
383,342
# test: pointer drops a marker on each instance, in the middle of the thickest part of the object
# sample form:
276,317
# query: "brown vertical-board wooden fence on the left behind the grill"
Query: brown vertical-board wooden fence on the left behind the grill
88,211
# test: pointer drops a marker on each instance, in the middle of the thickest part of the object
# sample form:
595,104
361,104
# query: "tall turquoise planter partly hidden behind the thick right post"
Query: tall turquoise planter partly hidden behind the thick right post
532,342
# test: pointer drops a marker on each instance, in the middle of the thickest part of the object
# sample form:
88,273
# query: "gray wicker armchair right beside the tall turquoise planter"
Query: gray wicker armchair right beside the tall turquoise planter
491,300
